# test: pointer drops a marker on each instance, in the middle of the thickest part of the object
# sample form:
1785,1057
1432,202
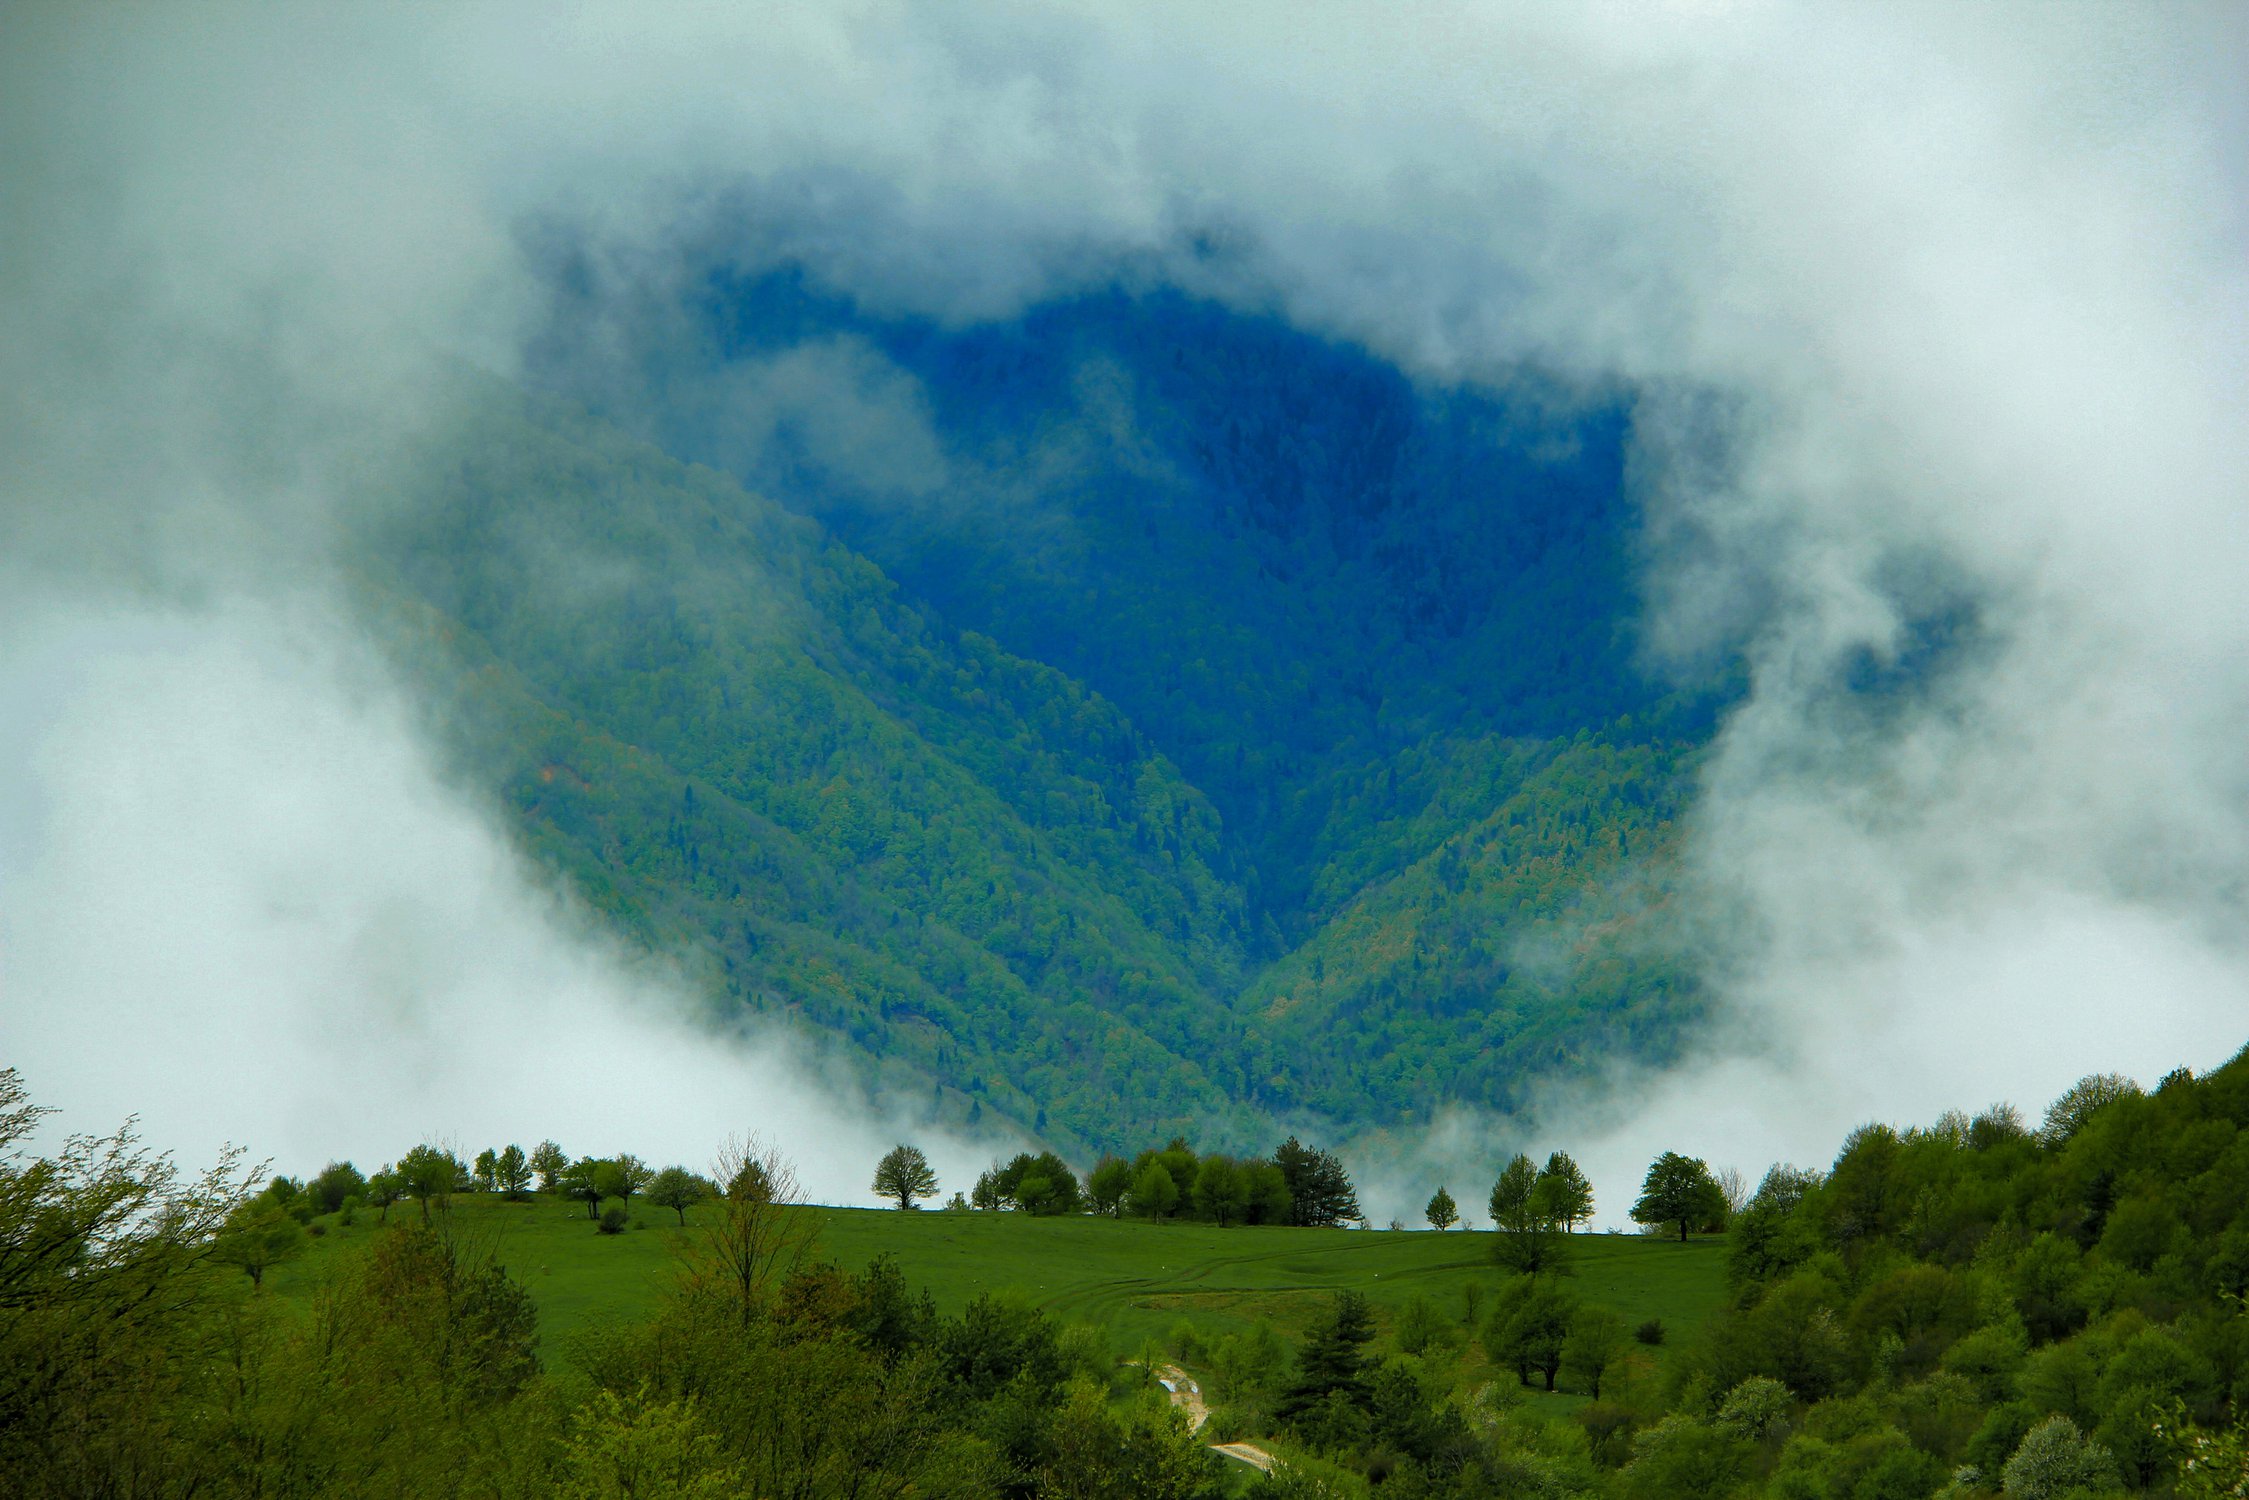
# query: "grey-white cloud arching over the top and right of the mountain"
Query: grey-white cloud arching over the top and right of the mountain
1935,320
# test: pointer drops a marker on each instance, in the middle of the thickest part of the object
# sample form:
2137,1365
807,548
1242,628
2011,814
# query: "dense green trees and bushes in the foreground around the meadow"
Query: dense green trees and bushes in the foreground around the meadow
1962,1310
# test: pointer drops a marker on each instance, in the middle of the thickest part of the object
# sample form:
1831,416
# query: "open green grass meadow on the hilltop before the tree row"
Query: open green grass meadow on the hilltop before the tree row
1132,1278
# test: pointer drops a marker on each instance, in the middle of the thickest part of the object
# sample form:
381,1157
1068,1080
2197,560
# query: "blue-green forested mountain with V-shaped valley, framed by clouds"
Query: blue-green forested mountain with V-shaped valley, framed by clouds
1137,719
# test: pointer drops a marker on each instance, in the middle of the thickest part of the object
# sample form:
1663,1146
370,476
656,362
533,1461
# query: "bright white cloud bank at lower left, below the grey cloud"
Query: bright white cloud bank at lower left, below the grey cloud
240,898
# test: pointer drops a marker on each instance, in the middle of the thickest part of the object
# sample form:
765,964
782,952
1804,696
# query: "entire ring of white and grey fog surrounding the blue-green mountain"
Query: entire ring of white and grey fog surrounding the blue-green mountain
1929,311
